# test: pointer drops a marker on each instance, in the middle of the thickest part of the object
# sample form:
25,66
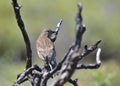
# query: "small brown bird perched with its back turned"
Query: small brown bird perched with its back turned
46,49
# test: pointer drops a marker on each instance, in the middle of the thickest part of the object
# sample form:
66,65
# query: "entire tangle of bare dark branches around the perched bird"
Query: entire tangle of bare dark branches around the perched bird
69,63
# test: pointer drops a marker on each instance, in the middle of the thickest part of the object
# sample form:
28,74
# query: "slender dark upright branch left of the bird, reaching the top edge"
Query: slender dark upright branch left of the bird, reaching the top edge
24,33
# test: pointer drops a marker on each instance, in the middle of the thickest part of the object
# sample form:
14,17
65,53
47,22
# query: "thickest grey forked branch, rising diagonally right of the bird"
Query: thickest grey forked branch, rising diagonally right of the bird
74,55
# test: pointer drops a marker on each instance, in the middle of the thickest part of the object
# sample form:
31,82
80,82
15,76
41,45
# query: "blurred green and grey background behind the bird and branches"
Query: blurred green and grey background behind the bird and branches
102,18
